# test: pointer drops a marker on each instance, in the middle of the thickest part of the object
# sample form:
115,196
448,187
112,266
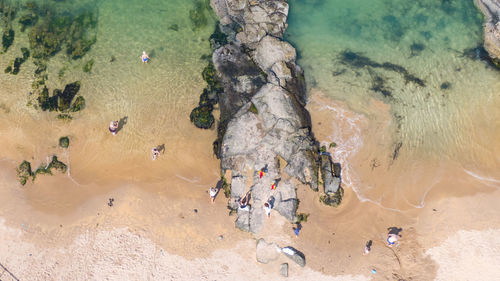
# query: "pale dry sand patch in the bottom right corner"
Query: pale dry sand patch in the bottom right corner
468,255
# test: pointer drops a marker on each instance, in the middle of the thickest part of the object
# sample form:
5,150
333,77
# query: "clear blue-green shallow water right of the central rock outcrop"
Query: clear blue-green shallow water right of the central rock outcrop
453,117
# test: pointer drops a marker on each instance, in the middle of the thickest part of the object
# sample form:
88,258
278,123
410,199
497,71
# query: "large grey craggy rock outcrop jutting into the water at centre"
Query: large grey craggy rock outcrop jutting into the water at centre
264,142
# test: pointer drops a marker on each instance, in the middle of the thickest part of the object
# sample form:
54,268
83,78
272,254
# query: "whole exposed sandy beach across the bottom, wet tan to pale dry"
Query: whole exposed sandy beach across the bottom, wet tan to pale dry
152,230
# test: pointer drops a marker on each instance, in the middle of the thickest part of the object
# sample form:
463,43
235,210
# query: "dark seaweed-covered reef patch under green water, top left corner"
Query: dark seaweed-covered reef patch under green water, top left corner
51,28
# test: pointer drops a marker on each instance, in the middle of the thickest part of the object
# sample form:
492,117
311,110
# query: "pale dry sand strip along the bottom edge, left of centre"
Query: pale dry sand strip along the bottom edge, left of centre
119,254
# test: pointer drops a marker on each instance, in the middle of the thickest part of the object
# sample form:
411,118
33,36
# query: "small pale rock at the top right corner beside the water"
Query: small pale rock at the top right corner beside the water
491,10
